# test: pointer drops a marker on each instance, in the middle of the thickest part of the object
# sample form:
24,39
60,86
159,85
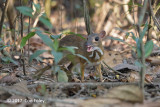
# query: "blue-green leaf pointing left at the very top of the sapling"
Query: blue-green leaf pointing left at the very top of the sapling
27,11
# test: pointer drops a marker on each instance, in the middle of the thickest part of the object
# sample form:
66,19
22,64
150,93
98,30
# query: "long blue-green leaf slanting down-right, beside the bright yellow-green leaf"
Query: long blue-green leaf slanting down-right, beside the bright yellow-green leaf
45,39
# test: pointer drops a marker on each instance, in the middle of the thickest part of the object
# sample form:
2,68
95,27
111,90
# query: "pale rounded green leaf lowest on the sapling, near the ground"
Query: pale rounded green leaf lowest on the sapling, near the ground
62,76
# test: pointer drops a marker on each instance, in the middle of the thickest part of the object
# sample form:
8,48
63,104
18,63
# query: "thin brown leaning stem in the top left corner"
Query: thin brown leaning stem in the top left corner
4,9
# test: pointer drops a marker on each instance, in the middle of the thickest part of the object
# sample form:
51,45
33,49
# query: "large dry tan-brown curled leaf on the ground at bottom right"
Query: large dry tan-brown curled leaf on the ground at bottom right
127,93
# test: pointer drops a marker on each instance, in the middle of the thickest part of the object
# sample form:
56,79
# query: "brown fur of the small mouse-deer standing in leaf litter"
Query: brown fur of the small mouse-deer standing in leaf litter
81,44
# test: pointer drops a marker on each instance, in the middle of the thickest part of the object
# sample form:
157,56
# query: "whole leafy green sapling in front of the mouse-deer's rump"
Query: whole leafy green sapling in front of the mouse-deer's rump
52,42
